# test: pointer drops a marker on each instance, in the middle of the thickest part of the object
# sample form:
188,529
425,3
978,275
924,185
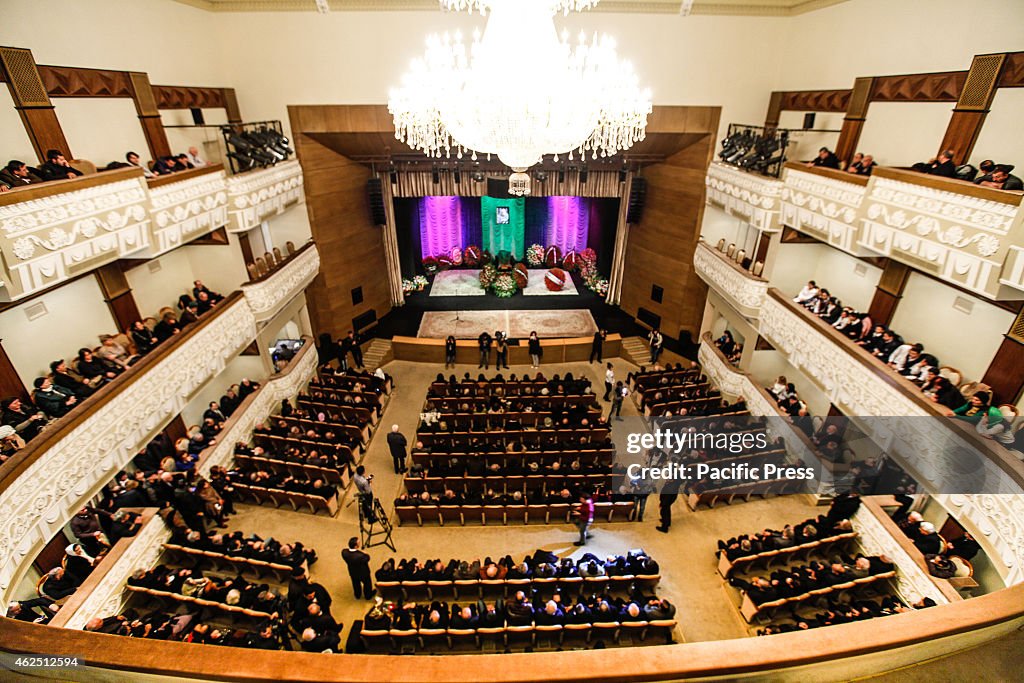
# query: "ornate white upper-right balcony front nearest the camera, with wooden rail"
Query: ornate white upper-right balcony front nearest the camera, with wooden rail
954,230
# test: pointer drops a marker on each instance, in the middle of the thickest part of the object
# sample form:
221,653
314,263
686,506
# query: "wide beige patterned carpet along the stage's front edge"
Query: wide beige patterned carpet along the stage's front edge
516,324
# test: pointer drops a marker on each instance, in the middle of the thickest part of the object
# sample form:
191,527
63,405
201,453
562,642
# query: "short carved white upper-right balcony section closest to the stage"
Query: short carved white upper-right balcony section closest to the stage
749,196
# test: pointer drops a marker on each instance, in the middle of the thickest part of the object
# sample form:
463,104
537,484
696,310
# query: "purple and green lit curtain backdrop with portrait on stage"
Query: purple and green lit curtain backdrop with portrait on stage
434,226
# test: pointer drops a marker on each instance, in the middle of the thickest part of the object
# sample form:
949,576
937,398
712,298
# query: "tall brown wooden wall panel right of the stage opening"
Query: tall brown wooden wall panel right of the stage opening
661,247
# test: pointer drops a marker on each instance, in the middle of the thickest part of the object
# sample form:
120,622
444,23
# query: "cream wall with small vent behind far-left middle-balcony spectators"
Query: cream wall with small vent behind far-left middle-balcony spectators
76,317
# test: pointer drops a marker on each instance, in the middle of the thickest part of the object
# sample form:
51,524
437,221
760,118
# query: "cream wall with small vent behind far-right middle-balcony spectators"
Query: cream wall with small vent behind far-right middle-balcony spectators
966,341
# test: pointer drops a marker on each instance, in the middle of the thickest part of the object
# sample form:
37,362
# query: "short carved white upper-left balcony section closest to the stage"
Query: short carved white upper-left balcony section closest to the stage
257,195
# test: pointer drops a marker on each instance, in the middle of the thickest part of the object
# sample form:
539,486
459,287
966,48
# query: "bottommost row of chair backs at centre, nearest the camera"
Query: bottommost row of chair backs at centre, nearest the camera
569,636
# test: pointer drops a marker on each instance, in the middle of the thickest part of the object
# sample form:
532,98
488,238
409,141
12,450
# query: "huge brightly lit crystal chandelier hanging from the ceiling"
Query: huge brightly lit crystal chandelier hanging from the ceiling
521,93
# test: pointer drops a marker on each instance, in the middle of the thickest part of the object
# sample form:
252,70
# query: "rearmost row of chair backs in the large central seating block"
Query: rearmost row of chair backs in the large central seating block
557,514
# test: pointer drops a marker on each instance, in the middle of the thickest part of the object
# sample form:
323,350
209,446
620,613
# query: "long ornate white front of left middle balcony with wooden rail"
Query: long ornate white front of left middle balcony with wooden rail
47,483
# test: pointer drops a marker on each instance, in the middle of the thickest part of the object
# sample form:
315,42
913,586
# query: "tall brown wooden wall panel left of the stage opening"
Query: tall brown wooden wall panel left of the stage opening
352,248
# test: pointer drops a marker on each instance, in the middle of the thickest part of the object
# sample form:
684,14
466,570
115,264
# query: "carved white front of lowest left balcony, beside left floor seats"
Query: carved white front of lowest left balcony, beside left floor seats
262,404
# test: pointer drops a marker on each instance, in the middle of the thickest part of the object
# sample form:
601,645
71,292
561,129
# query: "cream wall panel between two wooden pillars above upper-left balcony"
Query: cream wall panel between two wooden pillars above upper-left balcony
102,131
